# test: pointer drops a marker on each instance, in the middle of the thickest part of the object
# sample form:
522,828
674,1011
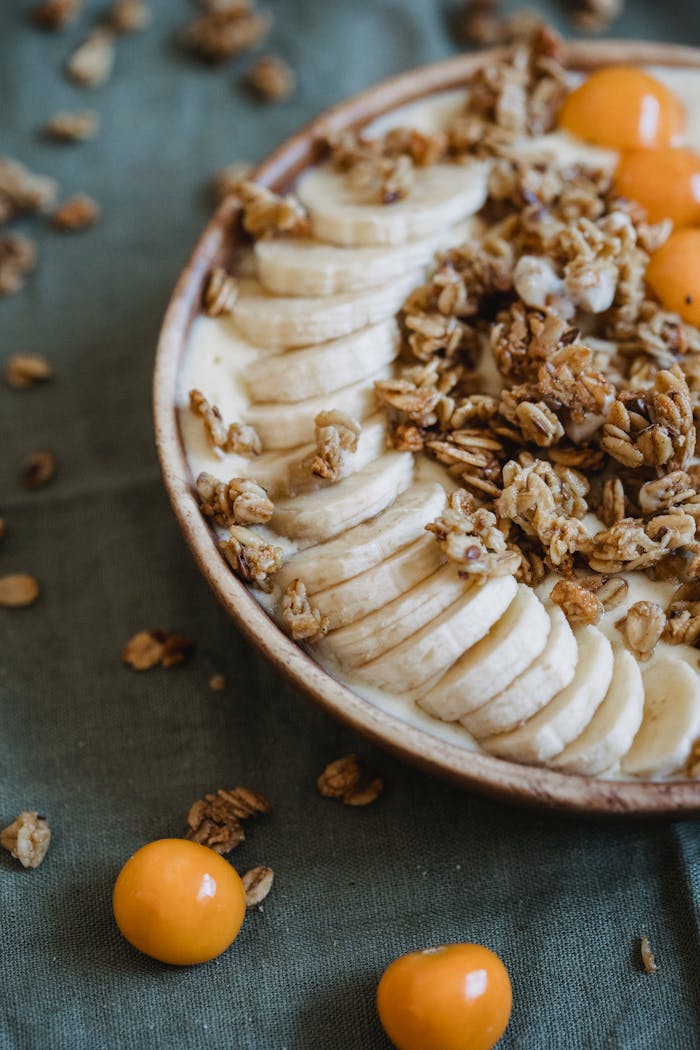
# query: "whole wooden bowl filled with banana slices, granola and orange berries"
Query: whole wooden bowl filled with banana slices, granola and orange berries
426,402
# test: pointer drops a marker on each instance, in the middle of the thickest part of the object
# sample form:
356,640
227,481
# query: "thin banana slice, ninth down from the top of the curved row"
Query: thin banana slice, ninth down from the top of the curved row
348,602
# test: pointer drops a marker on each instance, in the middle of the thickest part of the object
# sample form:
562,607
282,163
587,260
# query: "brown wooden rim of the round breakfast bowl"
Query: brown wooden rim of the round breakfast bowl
529,786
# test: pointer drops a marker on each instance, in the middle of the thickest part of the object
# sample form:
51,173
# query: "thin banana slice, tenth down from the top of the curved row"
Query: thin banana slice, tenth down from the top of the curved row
375,635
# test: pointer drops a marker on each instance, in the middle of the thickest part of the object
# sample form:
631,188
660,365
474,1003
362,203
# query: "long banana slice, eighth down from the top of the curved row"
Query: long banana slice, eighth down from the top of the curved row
368,544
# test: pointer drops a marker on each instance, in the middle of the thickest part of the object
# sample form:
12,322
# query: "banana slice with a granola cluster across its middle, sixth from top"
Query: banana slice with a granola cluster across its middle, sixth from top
278,471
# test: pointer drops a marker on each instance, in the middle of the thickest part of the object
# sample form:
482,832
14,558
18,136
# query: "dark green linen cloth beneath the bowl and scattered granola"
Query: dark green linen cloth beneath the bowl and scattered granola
116,759
